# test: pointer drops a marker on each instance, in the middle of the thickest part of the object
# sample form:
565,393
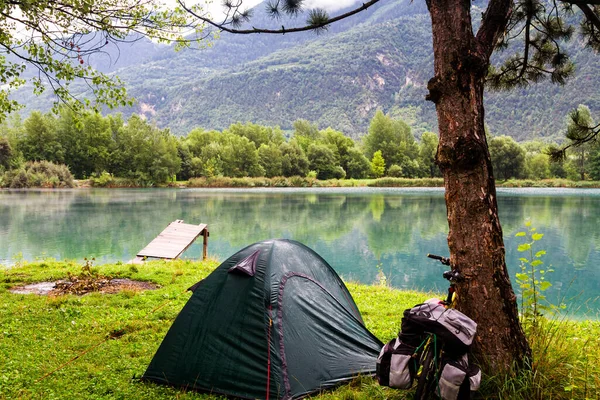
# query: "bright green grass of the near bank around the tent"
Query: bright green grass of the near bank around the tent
121,332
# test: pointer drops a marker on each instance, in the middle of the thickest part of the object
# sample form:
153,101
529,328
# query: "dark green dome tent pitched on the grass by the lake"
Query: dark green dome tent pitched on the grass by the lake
274,321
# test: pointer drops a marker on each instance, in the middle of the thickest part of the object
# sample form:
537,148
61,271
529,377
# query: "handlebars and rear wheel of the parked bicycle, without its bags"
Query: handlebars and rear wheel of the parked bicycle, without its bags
429,353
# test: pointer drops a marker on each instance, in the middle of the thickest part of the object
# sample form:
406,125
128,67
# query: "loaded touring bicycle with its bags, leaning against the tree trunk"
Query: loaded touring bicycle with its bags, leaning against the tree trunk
432,348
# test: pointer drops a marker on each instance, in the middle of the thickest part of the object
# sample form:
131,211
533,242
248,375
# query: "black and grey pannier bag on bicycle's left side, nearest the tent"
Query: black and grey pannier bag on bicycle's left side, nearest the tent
396,367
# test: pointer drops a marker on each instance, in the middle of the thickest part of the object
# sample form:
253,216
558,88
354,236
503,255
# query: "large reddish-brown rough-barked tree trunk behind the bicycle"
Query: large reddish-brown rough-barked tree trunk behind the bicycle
475,236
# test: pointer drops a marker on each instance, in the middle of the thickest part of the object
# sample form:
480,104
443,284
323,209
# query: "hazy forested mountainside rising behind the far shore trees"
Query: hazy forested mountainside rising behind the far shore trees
380,59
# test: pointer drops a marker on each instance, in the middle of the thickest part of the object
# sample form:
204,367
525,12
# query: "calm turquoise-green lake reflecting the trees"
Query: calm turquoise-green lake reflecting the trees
359,231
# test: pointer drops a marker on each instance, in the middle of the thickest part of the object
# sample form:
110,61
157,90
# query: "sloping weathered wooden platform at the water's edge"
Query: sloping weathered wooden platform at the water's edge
173,241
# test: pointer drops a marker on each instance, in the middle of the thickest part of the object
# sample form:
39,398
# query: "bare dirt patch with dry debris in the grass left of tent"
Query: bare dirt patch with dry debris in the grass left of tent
109,286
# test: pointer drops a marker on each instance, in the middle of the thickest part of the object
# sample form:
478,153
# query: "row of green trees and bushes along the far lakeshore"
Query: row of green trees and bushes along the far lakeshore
49,150
